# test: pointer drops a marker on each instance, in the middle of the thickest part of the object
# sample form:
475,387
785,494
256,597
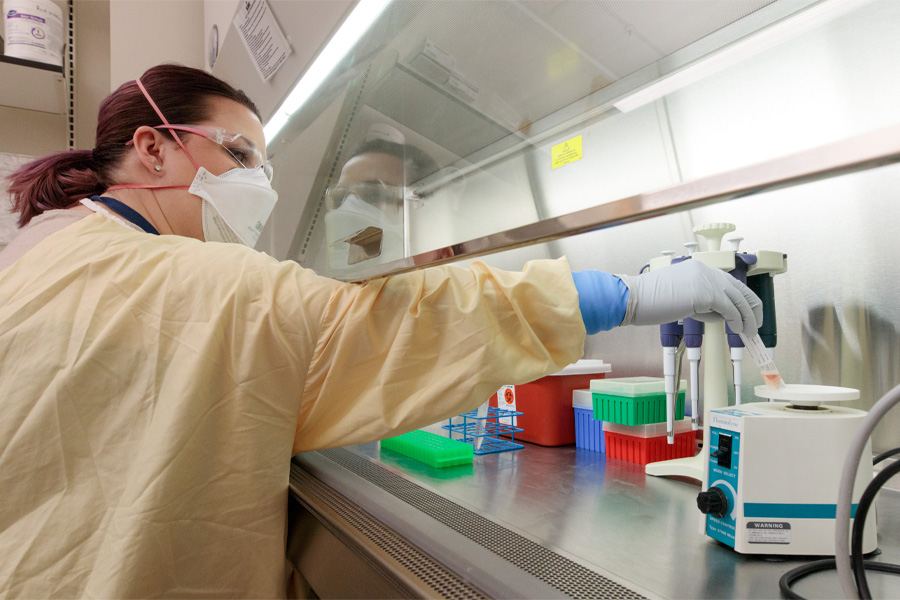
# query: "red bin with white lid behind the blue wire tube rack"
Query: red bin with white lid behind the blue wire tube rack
547,403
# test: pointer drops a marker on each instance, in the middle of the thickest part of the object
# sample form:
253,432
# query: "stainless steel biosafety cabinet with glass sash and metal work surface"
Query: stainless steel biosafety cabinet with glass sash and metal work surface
602,131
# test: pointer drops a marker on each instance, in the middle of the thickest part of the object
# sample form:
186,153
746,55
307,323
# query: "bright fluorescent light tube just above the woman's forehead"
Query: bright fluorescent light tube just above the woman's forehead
351,30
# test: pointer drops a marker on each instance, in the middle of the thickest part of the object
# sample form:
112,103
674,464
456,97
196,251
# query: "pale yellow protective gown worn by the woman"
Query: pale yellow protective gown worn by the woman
153,390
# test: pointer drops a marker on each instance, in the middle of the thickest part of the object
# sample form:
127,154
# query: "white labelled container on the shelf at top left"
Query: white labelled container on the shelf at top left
33,30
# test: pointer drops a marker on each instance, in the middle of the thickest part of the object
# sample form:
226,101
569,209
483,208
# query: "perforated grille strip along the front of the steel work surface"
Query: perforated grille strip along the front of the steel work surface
558,571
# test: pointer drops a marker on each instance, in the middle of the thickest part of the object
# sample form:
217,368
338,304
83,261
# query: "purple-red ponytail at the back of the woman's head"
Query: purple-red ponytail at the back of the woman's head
56,181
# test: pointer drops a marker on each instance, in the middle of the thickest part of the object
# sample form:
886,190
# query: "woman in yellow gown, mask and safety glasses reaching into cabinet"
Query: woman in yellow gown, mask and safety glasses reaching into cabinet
154,387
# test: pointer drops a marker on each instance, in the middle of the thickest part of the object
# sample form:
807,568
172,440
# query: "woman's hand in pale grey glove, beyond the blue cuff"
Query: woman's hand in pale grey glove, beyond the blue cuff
691,289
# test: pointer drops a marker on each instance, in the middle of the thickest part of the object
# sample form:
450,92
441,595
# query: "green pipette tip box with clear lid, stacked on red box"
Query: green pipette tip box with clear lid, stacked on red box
633,400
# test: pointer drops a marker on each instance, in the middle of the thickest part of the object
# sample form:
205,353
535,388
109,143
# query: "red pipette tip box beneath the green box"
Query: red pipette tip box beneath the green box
652,448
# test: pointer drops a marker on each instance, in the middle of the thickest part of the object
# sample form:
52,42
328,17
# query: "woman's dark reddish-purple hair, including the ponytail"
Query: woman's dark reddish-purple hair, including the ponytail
62,179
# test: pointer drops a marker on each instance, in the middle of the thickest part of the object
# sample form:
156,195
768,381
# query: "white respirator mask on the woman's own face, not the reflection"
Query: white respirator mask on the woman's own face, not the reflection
236,204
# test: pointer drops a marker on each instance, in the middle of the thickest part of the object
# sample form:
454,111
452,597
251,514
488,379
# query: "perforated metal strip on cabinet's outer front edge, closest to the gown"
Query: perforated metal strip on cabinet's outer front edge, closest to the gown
444,582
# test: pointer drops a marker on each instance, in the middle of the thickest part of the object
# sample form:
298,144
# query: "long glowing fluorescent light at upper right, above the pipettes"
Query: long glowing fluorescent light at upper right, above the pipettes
752,45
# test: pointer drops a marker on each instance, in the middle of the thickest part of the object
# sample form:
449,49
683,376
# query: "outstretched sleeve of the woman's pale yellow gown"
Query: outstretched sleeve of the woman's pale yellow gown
409,350
